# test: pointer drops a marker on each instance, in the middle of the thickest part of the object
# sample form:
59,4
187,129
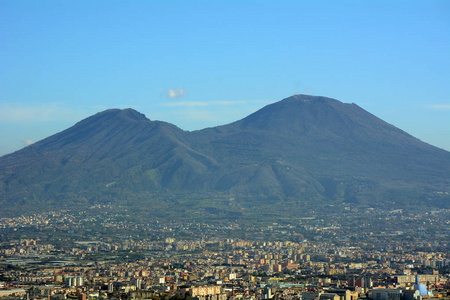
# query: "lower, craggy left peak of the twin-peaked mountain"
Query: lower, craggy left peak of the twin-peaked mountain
110,149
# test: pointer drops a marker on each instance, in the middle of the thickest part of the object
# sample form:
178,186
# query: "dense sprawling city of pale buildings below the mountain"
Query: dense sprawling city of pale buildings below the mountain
105,253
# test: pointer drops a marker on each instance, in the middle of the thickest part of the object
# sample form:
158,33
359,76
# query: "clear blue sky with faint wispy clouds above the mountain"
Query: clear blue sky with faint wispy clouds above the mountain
199,64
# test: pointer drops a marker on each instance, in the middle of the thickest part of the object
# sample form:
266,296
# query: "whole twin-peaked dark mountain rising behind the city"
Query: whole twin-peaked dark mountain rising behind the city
302,151
